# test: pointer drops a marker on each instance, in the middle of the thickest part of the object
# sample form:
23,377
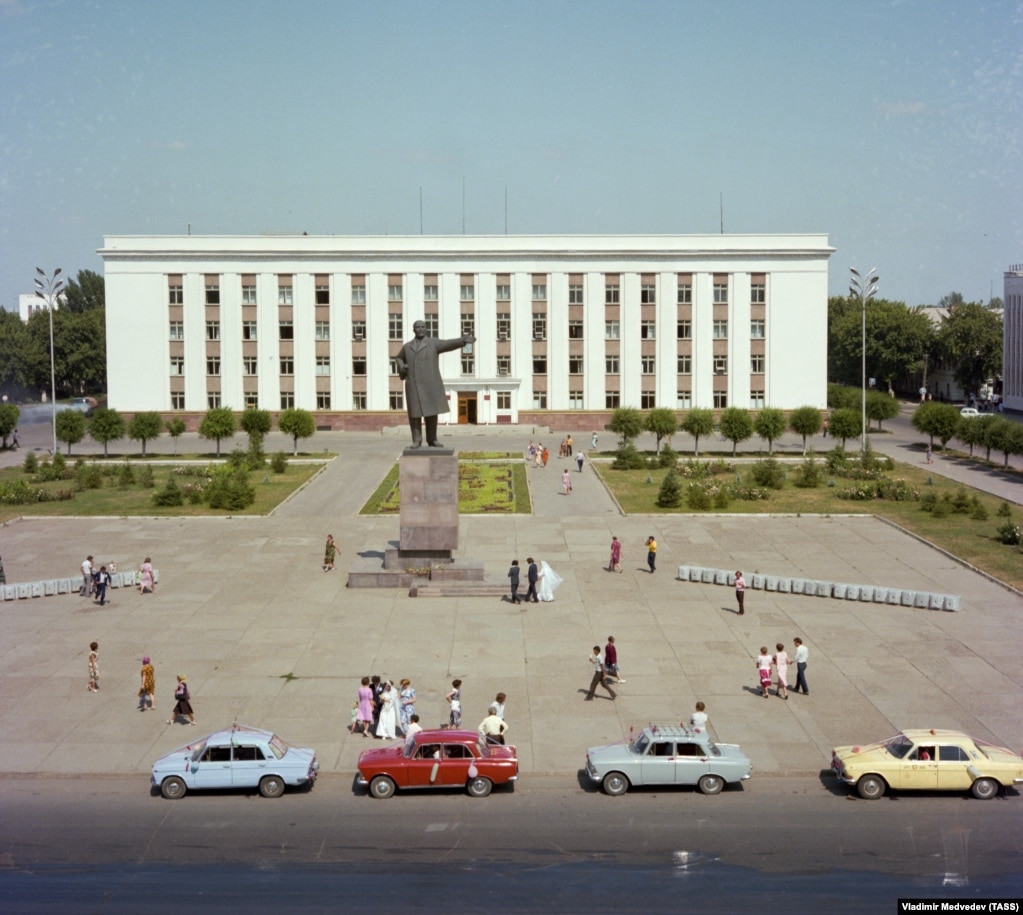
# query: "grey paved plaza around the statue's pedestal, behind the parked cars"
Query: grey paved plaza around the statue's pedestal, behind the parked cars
266,638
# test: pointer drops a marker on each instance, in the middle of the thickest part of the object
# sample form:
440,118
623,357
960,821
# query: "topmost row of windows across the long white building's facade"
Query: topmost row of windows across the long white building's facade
467,293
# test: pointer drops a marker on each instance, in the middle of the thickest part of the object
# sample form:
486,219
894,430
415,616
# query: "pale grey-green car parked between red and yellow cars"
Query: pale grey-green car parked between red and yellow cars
669,756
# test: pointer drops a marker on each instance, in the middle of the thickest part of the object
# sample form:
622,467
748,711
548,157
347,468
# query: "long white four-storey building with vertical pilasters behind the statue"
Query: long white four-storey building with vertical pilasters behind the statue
568,327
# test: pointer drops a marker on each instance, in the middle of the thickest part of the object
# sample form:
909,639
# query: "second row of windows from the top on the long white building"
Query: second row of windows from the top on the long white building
612,329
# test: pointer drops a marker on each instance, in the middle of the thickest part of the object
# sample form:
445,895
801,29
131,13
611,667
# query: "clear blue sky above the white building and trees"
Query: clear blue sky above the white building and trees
895,127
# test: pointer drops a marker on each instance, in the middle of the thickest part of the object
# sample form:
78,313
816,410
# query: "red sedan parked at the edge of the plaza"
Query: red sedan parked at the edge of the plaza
442,759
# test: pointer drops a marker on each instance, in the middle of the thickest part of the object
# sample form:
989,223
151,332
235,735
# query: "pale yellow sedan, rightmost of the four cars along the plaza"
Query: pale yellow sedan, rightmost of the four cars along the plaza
930,761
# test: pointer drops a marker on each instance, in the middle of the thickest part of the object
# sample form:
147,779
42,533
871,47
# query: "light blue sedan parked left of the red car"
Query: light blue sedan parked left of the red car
236,758
